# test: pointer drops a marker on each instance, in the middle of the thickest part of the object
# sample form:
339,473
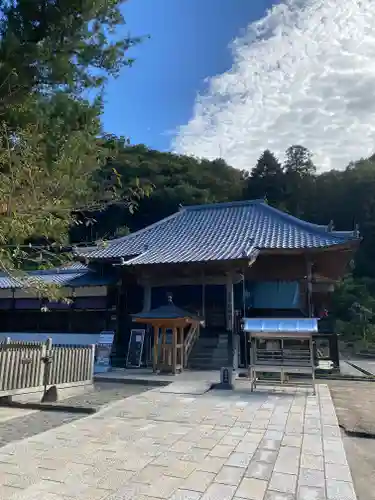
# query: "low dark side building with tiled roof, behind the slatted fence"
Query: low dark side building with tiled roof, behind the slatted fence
90,308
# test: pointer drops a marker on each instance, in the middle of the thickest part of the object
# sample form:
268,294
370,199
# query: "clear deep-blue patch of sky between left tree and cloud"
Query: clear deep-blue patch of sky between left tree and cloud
189,43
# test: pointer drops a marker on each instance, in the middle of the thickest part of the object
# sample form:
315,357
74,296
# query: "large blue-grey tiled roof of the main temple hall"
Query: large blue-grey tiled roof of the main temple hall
223,231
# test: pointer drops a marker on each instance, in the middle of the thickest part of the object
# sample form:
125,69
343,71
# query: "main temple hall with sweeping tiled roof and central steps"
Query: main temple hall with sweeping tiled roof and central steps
222,262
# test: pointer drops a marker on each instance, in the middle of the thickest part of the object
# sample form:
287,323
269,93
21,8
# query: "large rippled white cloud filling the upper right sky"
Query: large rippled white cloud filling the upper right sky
304,74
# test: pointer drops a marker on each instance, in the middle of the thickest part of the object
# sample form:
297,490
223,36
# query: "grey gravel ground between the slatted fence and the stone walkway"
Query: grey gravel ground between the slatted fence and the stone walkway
36,422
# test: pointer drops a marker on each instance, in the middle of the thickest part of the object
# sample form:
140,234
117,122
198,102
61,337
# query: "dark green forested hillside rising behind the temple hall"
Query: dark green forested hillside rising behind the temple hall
344,198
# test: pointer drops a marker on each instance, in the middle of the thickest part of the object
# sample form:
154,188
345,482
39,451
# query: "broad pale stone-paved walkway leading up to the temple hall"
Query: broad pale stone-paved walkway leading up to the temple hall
222,445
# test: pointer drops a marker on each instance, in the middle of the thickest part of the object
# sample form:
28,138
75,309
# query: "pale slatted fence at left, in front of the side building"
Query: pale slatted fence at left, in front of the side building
37,365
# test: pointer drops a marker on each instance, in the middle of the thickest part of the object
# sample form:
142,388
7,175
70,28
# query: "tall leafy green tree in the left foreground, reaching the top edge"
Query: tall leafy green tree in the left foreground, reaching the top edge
53,53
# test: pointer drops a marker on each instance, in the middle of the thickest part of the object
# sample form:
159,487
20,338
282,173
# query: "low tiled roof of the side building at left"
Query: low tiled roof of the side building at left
74,275
